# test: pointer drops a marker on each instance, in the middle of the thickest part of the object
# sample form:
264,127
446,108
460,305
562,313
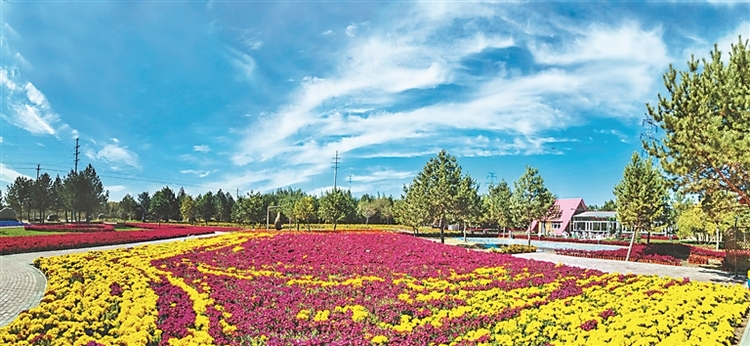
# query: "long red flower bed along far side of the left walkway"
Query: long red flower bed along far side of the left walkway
23,244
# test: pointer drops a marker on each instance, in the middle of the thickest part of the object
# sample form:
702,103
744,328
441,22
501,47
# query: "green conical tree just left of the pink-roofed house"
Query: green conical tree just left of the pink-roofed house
531,200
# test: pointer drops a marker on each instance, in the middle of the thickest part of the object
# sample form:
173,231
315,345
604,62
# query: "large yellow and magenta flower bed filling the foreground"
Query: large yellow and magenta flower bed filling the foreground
361,289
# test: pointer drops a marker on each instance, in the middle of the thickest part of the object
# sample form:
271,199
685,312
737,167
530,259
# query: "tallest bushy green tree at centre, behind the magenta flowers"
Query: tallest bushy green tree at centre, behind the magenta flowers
437,189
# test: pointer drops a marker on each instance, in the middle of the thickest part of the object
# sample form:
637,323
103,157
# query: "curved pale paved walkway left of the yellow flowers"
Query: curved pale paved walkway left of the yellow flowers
22,285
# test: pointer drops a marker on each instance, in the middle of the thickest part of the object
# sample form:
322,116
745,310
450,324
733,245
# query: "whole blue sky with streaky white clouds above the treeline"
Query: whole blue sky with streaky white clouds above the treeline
244,95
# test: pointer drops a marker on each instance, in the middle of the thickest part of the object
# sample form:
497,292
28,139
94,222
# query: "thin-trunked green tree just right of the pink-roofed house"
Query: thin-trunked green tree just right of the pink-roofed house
641,197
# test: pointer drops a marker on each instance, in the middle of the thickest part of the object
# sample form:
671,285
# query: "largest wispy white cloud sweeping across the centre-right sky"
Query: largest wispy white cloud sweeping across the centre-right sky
351,109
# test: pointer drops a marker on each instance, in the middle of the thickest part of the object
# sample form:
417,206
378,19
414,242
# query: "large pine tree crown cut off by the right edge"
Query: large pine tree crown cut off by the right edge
706,118
